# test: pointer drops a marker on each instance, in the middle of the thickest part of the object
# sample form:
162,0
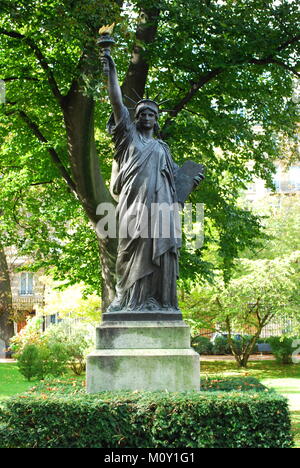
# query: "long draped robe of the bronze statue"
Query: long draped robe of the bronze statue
148,219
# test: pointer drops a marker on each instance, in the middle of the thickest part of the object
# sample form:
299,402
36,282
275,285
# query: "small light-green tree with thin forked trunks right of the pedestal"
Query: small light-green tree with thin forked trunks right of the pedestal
262,290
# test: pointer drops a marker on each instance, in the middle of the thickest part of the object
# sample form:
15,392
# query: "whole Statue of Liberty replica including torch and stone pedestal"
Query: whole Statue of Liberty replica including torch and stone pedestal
142,342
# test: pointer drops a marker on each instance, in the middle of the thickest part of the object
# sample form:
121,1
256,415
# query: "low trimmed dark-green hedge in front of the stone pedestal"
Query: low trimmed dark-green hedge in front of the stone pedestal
147,420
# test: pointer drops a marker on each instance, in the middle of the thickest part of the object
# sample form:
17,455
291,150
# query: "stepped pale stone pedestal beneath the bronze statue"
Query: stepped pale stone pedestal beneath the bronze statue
143,355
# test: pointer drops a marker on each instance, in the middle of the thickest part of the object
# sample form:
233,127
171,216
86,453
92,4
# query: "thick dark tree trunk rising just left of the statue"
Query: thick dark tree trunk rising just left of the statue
90,187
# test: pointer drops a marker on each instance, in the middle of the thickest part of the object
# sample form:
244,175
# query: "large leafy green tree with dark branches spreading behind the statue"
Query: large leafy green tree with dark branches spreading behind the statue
228,70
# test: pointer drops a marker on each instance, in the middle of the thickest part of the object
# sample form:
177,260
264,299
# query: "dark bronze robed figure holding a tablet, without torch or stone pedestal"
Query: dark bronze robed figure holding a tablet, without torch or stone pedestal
144,181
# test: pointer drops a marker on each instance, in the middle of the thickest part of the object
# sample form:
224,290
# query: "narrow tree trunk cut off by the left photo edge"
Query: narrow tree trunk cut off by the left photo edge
6,323
